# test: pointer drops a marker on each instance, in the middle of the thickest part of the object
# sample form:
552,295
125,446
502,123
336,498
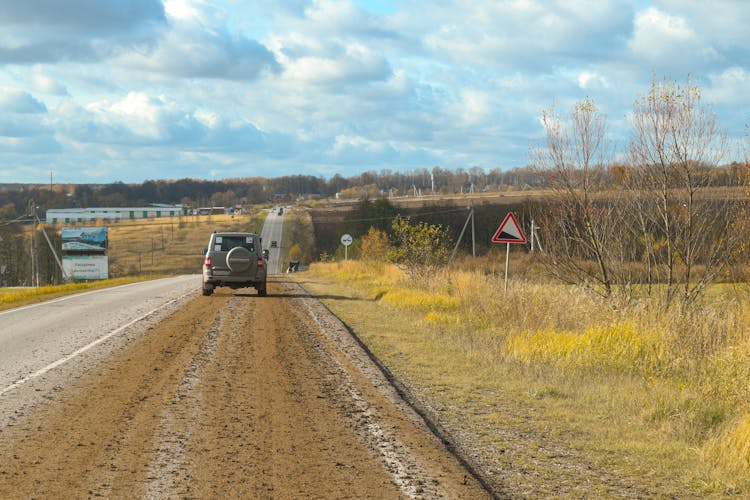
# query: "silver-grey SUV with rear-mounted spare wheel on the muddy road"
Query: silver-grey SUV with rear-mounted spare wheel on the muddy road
235,260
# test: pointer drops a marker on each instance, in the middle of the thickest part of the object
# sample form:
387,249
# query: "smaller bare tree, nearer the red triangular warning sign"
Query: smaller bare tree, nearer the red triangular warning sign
580,228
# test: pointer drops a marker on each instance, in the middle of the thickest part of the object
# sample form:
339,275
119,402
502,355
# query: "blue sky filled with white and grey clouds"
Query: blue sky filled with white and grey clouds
98,91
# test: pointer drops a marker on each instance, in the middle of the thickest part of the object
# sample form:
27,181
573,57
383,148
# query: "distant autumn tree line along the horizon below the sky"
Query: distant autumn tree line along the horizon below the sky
15,198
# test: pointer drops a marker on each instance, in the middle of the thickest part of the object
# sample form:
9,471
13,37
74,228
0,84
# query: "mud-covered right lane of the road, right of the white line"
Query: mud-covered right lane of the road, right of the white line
231,395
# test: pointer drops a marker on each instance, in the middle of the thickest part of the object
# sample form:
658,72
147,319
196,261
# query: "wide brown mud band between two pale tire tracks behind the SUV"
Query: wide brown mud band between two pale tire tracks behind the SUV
287,441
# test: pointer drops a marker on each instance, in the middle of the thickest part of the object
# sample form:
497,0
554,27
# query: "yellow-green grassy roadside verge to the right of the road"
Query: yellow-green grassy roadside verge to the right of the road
558,391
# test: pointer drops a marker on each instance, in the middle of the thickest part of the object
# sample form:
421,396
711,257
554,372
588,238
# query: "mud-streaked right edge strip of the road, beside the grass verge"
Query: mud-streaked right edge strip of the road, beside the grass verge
386,422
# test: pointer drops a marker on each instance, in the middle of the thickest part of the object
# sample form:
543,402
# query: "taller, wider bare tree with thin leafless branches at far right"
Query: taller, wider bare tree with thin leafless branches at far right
686,229
